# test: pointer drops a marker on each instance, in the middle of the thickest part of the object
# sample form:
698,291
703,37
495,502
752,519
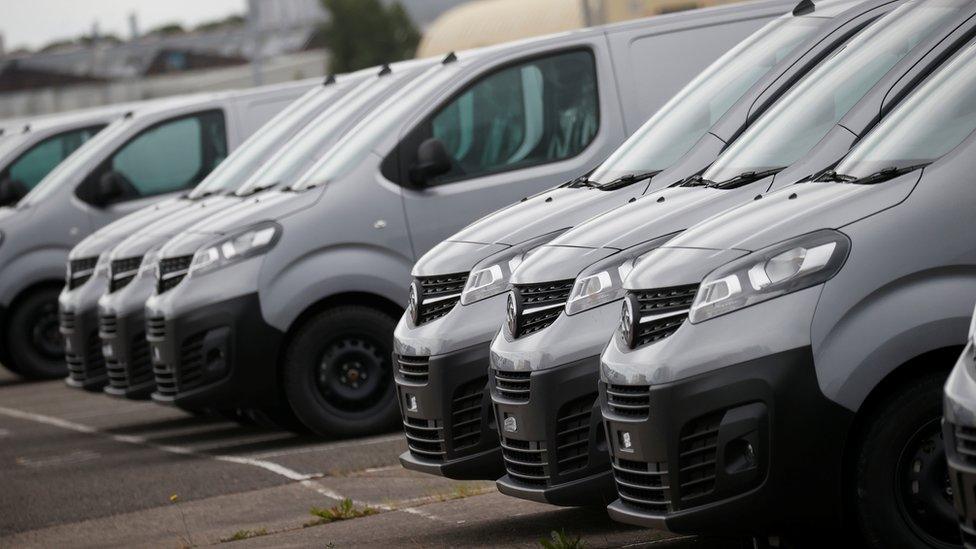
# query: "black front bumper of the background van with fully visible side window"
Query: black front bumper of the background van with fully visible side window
218,356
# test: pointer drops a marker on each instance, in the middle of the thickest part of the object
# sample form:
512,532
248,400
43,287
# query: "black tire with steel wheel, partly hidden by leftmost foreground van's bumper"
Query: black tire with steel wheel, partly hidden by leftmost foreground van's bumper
338,373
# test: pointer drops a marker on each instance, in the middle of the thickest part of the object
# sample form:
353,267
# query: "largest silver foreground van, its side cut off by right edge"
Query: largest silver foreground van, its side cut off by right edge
778,368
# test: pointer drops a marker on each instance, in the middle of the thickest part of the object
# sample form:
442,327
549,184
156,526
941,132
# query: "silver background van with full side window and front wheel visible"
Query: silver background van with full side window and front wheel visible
294,297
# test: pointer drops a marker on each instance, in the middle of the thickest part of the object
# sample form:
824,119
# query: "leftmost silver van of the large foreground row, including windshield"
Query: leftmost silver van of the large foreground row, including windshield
442,342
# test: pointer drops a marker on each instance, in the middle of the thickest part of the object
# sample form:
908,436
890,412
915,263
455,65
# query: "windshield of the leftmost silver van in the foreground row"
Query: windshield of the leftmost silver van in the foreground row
683,120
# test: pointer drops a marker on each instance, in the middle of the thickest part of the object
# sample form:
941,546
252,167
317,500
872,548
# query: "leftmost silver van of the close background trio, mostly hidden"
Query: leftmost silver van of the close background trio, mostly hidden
78,301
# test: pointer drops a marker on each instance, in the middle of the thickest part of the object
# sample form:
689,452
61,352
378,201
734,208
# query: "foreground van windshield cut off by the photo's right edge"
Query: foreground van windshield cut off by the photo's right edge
934,120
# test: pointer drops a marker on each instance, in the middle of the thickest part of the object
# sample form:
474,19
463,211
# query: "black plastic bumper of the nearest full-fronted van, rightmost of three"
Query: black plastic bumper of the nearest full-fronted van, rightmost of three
753,448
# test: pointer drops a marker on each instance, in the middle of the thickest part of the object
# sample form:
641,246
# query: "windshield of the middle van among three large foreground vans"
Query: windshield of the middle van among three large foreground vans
798,121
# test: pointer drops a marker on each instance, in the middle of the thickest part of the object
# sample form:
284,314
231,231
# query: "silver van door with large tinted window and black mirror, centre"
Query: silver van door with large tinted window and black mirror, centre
519,129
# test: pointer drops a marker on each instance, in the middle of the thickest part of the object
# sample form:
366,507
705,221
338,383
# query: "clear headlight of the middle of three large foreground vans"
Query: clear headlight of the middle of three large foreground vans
603,282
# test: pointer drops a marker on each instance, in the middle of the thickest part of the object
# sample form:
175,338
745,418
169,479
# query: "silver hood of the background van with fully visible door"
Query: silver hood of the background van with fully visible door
271,205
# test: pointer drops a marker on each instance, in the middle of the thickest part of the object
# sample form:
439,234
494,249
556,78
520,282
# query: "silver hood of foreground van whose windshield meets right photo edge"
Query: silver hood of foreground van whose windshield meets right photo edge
793,211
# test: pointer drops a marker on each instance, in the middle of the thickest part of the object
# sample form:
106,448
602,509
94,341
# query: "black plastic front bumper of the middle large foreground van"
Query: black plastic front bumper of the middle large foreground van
553,442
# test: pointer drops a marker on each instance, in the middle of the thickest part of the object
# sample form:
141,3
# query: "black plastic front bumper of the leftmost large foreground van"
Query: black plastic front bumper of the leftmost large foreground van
447,416
